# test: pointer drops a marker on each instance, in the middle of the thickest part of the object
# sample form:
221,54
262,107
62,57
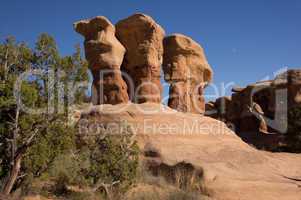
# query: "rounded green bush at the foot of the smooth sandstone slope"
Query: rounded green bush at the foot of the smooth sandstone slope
113,158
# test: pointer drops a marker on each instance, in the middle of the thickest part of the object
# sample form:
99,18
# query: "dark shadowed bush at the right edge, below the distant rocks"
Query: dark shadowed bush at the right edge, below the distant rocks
293,136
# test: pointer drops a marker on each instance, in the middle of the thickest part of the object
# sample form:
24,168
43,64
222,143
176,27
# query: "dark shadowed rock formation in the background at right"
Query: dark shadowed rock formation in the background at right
249,107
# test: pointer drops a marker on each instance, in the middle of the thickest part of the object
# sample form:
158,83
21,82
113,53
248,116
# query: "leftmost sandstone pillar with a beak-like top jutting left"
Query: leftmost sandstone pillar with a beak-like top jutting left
105,55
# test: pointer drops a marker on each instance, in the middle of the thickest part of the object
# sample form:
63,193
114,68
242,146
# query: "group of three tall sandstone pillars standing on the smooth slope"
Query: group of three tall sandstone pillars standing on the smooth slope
138,51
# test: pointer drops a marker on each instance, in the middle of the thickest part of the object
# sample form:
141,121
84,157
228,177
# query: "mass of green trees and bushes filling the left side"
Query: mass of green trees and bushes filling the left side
53,153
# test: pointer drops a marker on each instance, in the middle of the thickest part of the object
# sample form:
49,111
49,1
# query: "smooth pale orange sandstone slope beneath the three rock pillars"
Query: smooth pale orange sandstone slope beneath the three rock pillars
231,169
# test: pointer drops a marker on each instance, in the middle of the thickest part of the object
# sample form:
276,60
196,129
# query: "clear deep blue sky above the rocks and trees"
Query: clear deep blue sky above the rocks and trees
244,40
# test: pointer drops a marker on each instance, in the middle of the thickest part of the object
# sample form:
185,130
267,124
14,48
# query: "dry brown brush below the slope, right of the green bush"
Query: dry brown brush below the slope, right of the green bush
164,182
